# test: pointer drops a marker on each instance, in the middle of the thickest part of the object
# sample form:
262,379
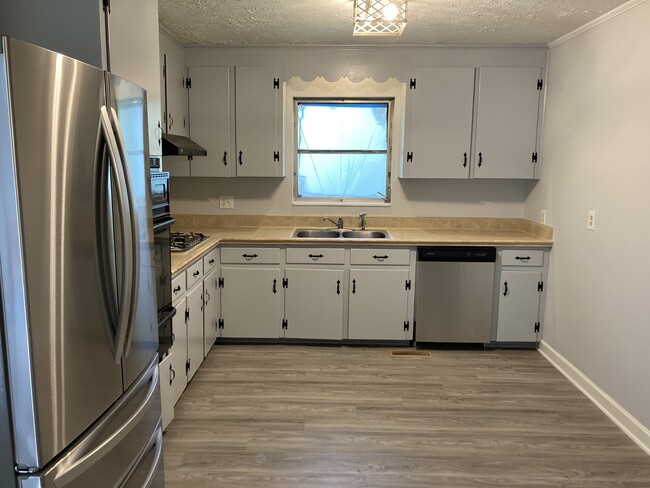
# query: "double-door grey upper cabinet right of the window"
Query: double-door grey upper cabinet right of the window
473,123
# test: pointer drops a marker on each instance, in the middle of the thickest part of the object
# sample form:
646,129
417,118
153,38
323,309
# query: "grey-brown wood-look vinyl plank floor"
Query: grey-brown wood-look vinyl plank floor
329,417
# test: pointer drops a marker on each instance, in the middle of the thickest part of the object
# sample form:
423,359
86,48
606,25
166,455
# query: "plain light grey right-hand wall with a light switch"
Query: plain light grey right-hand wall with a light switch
597,157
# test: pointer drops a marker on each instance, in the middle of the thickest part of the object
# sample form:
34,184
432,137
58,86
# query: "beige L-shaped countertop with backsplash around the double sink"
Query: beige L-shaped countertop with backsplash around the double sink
476,232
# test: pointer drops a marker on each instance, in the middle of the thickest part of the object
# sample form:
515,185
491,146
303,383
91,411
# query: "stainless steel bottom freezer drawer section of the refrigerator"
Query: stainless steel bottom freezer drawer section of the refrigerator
117,447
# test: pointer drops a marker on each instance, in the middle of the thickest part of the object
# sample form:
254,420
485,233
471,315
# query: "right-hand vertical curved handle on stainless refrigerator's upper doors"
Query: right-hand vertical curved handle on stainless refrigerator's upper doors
134,236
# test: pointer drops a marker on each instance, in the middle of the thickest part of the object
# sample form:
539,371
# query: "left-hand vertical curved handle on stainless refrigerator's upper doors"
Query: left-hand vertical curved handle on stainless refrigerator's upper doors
124,310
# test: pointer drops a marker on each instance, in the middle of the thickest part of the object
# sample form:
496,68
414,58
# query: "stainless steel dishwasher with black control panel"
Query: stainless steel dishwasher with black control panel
454,294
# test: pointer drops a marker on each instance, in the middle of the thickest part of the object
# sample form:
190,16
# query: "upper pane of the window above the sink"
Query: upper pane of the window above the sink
343,126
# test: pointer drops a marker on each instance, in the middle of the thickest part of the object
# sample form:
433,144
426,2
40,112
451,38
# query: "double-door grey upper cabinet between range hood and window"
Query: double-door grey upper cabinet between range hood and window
235,115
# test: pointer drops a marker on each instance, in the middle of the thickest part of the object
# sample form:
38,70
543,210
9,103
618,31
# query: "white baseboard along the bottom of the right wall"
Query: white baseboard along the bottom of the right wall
621,417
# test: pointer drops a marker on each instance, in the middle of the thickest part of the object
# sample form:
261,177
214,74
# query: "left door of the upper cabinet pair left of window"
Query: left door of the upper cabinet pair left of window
210,121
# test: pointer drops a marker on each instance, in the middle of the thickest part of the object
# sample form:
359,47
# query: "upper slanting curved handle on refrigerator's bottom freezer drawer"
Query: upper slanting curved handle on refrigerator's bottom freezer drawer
85,462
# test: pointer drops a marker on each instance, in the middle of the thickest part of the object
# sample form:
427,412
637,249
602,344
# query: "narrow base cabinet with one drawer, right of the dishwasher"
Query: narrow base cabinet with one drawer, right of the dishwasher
520,296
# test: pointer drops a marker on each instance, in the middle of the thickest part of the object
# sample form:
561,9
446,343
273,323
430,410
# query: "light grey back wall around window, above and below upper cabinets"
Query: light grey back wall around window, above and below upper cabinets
273,196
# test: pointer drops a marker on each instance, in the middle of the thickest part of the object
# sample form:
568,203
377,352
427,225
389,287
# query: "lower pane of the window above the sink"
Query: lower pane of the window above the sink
341,175
